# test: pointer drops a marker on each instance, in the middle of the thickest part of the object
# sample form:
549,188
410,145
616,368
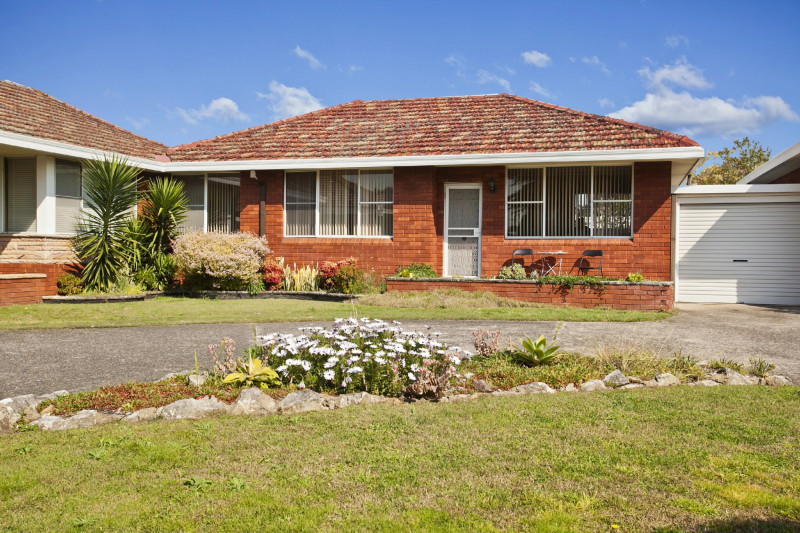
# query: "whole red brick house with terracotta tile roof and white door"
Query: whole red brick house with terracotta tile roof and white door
456,182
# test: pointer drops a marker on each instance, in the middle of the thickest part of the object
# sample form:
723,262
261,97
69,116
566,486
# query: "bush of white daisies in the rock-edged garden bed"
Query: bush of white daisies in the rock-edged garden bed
362,355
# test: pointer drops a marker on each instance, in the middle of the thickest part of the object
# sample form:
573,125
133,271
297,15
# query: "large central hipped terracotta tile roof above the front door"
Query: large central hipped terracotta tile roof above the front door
430,126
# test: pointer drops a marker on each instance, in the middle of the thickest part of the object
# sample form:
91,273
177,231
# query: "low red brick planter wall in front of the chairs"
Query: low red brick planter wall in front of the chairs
643,296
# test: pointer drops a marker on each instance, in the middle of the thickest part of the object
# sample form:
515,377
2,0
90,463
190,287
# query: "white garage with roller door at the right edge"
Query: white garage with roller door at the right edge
741,243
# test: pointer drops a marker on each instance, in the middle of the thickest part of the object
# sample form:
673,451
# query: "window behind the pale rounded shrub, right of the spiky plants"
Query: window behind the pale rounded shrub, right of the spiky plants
213,202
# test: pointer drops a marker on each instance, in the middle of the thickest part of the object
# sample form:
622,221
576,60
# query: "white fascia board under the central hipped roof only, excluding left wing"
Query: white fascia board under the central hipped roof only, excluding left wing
583,156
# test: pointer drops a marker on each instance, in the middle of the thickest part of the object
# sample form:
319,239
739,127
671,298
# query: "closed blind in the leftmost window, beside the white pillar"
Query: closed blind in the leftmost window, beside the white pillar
20,194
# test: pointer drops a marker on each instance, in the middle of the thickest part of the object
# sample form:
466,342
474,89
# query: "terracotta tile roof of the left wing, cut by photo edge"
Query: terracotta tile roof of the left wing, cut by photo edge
29,111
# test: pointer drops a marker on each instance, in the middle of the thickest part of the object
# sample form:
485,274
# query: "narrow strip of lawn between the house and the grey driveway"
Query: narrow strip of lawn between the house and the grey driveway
175,311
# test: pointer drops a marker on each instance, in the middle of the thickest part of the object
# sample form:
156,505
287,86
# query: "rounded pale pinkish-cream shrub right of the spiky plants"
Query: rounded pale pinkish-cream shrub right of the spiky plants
227,261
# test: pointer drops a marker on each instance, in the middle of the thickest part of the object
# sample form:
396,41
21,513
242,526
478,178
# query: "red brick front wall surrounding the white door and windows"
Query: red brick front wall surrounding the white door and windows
419,214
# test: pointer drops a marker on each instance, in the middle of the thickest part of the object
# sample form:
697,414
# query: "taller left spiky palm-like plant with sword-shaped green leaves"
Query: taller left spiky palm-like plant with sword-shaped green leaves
109,197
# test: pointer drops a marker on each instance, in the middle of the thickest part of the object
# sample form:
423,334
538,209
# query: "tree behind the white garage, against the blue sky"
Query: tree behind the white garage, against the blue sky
734,163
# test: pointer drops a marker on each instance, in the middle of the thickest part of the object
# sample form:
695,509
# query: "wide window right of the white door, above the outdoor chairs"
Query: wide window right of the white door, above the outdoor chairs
580,201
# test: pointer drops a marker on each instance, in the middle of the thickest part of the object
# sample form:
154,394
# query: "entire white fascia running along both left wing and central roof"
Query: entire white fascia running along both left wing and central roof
525,158
